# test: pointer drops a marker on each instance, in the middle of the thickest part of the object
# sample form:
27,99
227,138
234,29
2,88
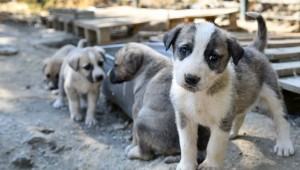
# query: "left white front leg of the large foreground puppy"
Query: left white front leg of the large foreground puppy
188,131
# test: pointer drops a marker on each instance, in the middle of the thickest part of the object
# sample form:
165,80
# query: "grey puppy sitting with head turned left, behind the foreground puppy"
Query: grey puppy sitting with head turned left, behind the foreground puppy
154,128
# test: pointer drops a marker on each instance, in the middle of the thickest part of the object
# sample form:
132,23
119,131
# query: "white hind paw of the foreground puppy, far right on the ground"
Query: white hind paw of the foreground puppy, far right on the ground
284,148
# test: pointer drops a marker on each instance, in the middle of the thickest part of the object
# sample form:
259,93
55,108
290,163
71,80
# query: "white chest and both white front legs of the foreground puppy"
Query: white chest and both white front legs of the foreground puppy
206,110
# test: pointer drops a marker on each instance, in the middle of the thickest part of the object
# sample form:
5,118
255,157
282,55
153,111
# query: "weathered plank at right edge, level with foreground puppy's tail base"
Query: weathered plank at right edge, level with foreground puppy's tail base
282,53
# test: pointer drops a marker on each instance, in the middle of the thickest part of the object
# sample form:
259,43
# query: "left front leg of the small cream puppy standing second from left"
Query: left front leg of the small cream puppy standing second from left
74,104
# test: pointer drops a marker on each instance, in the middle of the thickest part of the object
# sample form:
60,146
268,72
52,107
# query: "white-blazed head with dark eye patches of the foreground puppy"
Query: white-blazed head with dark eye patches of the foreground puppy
201,53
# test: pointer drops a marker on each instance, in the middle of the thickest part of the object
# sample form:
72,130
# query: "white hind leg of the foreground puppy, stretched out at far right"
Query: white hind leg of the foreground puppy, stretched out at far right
284,146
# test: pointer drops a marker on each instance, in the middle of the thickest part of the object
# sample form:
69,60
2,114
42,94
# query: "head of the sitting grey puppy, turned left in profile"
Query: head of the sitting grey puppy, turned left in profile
127,62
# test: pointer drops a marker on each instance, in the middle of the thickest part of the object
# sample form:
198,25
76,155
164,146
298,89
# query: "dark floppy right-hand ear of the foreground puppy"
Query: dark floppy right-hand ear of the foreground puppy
235,50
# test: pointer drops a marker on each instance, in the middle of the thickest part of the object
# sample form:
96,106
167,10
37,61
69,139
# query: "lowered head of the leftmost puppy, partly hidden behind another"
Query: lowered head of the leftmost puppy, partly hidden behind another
51,69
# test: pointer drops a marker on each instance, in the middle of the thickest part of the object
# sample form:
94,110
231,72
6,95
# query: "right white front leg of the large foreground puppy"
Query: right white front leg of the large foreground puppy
216,148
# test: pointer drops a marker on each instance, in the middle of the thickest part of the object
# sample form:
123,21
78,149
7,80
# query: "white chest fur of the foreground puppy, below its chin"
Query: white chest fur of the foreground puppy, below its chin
200,107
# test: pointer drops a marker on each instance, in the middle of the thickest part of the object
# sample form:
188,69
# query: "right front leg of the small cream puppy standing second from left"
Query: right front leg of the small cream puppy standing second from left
91,110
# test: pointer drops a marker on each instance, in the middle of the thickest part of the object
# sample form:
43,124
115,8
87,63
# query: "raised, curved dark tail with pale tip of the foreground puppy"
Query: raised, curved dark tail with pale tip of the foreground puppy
260,40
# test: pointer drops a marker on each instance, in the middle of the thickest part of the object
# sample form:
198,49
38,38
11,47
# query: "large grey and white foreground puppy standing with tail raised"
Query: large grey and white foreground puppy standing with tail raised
216,82
